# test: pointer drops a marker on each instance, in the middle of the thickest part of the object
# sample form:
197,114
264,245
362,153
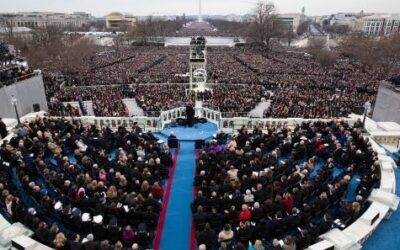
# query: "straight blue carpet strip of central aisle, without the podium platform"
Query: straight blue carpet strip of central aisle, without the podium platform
177,227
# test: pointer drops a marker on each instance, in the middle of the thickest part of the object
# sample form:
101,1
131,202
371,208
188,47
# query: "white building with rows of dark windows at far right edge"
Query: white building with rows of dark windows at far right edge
381,25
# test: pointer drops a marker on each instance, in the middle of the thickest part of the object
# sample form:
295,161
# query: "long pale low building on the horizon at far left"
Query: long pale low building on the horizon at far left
42,19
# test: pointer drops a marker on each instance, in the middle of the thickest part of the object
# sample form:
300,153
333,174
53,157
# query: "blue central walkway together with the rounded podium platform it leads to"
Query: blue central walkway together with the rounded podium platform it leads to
175,225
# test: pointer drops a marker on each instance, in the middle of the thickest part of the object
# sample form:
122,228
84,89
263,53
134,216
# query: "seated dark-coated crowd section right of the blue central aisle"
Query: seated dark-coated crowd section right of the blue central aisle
282,188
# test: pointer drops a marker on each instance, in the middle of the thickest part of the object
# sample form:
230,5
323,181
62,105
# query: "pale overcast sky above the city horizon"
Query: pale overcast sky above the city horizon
178,7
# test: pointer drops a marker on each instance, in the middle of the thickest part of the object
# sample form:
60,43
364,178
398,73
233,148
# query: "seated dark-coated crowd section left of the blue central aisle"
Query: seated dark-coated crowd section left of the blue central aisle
82,187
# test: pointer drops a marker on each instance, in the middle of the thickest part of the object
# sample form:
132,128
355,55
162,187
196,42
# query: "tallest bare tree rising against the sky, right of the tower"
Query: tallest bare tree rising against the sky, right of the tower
264,26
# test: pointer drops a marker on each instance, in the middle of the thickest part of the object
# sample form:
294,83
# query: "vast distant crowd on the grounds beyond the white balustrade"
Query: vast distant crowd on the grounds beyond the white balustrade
295,83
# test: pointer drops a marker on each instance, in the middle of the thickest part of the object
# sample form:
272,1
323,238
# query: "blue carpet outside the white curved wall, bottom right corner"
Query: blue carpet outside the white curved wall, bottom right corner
386,236
